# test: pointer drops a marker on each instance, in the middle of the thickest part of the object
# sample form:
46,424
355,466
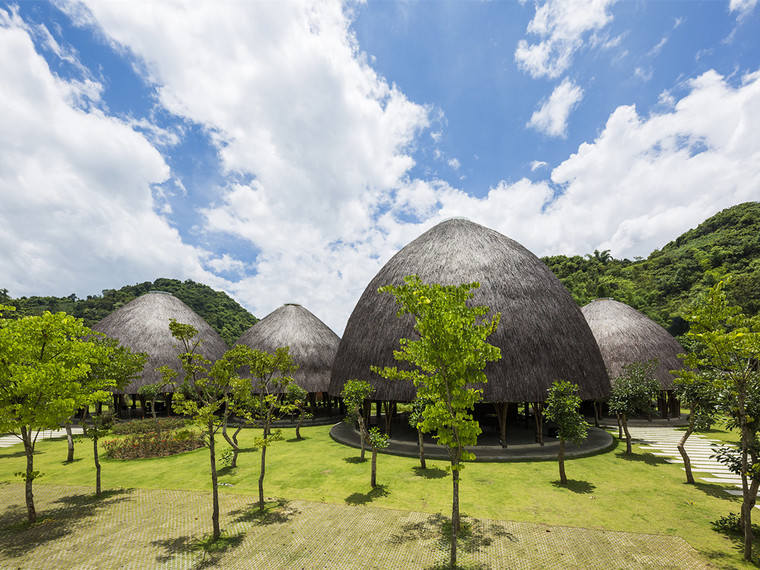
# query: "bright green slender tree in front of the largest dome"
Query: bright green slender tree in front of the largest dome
450,354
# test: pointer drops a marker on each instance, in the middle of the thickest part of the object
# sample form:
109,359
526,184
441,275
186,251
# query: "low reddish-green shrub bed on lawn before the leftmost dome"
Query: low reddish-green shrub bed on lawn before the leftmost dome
145,445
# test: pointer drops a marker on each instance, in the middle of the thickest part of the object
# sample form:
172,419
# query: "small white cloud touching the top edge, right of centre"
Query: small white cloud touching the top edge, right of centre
561,26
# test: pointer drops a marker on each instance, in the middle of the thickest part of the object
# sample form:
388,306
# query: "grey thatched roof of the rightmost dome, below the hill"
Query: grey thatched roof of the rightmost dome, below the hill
624,336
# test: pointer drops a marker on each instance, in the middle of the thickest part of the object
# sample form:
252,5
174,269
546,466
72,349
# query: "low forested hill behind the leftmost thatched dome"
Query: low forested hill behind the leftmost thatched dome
224,314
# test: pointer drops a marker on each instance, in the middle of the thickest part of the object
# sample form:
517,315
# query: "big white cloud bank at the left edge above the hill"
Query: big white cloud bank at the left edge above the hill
75,186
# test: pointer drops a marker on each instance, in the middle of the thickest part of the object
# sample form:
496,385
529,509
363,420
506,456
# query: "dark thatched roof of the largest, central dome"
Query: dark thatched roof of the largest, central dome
542,335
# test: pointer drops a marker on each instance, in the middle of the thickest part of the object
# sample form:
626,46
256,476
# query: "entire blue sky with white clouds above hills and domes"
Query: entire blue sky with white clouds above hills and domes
284,151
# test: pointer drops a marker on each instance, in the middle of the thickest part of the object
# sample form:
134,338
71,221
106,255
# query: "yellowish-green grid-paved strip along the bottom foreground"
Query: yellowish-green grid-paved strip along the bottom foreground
135,528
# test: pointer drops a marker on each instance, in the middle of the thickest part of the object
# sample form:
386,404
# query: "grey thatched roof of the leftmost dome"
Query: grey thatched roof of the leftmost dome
143,326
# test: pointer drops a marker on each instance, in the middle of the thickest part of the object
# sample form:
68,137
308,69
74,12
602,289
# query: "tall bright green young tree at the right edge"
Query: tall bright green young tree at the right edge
728,343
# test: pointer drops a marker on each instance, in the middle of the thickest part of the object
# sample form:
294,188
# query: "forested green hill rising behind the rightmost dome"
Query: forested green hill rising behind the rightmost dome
726,245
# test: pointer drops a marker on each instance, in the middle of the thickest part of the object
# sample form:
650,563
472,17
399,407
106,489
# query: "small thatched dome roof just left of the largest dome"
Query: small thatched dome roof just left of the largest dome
311,342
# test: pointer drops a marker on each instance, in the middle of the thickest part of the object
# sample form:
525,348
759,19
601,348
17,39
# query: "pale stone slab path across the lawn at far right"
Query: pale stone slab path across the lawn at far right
662,442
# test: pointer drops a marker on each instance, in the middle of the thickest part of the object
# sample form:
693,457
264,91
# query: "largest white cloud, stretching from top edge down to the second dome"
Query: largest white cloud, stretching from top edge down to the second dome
295,110
